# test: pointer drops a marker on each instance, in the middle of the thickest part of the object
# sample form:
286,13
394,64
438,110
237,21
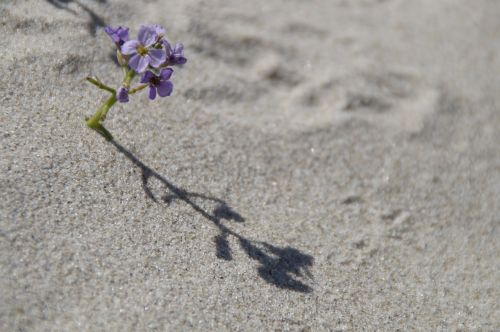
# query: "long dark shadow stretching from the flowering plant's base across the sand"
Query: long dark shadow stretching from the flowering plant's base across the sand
282,267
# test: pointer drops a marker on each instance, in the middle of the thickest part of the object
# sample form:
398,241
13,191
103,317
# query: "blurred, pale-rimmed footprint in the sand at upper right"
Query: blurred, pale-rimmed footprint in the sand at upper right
391,99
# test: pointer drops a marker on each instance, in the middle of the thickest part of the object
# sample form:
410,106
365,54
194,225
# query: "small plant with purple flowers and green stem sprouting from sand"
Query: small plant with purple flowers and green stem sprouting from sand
151,56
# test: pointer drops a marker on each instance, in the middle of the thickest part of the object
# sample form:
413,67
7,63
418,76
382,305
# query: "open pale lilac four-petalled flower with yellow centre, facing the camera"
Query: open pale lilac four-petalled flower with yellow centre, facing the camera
142,51
